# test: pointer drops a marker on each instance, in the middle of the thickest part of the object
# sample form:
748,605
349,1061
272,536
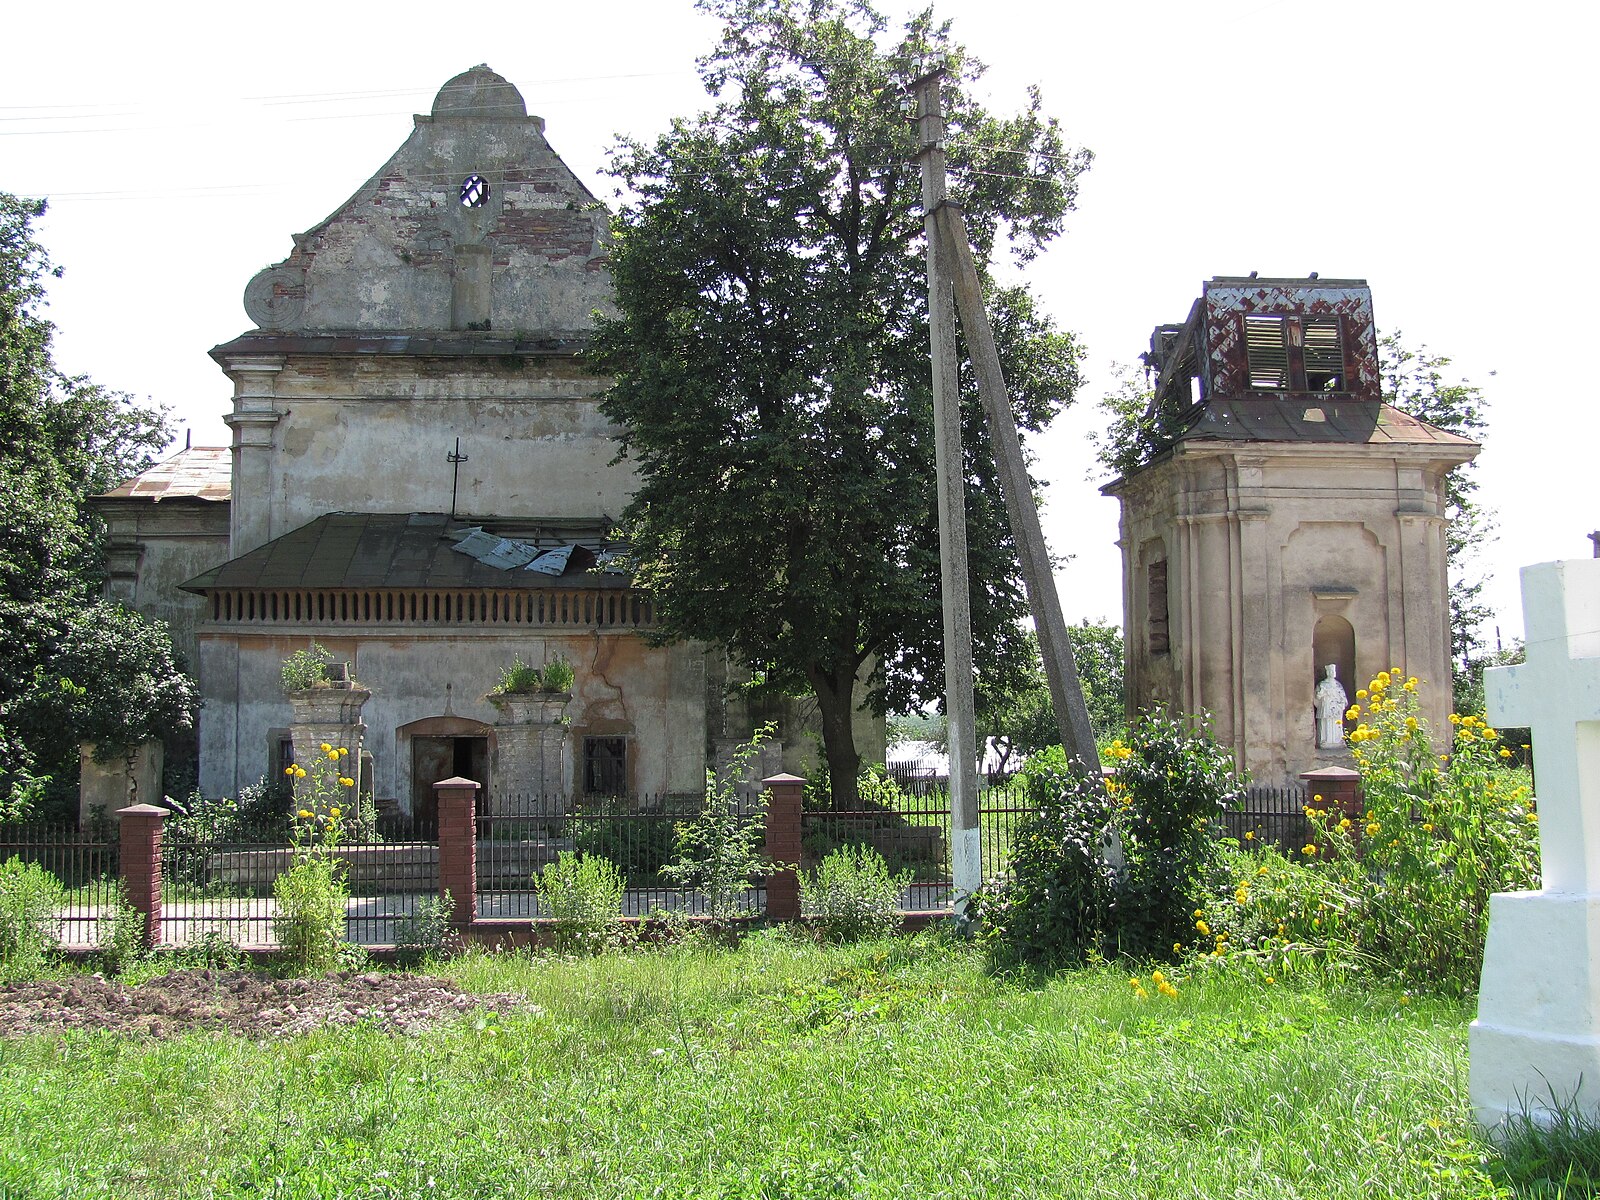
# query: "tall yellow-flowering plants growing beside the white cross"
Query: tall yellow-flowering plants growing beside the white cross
1401,889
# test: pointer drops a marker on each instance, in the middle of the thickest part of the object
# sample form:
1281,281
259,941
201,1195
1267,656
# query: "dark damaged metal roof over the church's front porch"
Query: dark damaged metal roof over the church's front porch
409,550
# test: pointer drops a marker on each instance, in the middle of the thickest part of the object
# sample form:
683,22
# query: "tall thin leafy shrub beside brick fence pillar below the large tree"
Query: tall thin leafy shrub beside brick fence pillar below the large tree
721,850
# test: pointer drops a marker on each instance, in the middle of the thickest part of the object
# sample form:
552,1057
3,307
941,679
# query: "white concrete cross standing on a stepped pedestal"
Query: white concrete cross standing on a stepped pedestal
1558,695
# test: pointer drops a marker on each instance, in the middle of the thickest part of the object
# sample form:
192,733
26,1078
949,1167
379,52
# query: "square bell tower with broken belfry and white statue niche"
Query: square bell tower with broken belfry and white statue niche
1284,521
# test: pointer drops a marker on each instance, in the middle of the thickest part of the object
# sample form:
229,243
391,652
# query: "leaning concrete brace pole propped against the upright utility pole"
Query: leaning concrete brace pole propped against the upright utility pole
956,257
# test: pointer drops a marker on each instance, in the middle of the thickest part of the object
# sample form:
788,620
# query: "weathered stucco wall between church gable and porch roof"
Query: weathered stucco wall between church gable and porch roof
345,434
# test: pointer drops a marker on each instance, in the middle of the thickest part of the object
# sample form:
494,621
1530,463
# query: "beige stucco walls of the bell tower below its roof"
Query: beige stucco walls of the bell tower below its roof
1263,540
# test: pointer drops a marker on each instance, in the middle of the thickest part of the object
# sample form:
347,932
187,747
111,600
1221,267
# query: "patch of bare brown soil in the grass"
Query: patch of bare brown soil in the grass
249,1004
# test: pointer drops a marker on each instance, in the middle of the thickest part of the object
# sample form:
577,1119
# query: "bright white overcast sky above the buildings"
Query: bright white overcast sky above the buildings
1441,151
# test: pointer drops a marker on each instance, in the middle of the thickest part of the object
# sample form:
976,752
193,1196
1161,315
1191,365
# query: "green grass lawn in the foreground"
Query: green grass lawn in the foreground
780,1070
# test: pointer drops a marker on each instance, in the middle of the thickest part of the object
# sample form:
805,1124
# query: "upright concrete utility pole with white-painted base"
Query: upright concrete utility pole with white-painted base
966,847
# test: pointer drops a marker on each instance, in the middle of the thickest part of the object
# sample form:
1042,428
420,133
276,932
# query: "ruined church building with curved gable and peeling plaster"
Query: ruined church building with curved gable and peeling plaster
423,482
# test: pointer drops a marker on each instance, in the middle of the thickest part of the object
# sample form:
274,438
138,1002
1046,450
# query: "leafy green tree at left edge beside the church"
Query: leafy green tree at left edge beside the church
68,665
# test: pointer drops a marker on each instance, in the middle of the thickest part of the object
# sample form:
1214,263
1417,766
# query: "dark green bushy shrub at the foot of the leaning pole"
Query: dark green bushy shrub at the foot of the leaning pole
1113,868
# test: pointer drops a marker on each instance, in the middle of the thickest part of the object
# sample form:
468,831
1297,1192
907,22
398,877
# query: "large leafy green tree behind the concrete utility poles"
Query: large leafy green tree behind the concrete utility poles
770,356
